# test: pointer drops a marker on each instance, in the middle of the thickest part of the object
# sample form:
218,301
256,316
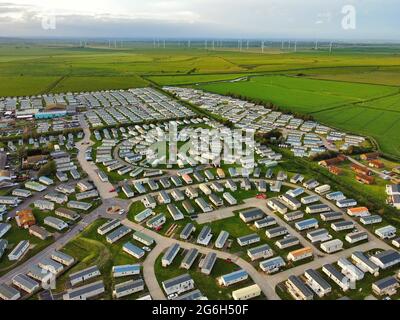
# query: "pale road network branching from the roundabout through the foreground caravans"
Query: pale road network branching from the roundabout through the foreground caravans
267,283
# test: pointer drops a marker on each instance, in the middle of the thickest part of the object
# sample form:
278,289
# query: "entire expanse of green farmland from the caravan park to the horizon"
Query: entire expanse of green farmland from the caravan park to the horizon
349,89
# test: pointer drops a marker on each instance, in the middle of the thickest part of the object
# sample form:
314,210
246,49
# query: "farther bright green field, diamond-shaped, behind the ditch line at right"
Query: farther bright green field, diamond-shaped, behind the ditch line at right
302,95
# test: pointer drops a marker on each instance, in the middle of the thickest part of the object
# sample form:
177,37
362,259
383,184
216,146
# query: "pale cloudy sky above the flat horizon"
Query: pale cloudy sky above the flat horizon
258,19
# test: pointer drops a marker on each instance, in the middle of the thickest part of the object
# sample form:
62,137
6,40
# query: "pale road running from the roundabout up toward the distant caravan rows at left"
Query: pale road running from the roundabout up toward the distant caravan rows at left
89,167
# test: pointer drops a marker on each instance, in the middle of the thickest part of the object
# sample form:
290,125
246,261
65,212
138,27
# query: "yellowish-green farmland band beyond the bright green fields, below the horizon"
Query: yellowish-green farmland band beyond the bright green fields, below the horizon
36,68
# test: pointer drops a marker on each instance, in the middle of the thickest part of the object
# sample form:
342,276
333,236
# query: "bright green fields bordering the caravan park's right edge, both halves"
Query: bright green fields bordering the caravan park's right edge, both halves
372,110
